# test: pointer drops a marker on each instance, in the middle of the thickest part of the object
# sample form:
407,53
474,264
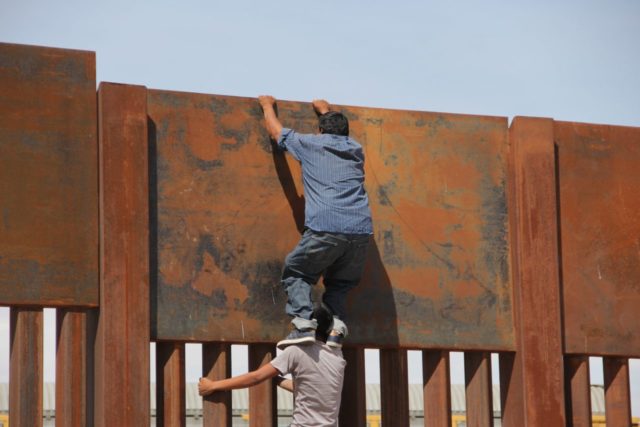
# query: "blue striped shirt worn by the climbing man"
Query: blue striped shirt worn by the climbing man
333,178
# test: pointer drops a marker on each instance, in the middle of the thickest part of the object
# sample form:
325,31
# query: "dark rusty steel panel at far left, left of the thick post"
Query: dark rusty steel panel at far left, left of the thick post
48,177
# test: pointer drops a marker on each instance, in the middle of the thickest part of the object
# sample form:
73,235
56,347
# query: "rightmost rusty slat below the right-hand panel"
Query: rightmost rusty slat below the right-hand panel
617,393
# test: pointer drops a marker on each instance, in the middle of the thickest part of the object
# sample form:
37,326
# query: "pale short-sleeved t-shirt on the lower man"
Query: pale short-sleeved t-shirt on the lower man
318,373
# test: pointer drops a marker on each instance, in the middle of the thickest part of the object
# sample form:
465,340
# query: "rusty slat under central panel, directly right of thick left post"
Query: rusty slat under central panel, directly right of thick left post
170,383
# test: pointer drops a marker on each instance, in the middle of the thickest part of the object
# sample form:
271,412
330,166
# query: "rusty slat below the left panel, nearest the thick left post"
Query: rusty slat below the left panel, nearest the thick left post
71,368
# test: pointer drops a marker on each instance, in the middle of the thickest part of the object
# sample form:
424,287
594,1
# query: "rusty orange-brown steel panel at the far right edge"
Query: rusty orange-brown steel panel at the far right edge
599,184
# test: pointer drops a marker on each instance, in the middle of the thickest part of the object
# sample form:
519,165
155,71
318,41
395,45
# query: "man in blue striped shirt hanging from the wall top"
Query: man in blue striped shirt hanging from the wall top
337,221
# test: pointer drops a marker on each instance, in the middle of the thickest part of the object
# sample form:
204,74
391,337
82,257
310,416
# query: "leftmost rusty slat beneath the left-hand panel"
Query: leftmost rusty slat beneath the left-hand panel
25,367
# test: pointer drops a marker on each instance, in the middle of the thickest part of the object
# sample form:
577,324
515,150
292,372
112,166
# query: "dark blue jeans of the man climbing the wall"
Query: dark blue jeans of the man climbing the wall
340,257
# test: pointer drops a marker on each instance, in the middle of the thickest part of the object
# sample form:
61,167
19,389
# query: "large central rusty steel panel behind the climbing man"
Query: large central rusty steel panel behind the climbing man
228,210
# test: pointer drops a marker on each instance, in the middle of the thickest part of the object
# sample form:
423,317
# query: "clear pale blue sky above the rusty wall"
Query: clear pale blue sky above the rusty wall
570,60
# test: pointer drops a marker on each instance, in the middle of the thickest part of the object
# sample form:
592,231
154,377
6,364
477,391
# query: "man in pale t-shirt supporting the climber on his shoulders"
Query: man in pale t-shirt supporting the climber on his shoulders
317,371
